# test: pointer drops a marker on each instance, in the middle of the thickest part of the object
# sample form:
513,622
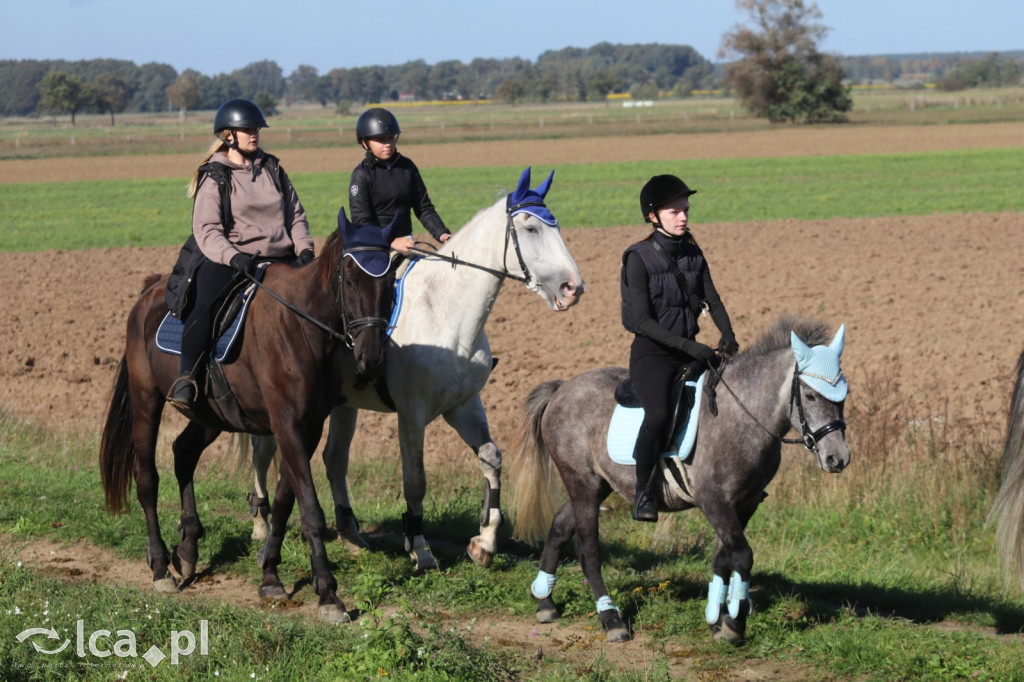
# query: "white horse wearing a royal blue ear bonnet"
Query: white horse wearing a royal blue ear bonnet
439,360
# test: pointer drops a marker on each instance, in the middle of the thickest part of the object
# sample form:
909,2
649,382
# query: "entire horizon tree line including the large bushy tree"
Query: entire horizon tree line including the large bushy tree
775,67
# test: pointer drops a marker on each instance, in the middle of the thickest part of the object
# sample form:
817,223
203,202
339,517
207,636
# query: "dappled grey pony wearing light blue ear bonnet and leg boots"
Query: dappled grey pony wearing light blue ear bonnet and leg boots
788,378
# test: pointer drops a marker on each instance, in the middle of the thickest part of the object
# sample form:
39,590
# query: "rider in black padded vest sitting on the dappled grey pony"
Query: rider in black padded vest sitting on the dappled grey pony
665,282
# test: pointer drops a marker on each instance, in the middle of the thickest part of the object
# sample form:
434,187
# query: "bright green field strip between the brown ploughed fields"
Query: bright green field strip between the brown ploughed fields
153,214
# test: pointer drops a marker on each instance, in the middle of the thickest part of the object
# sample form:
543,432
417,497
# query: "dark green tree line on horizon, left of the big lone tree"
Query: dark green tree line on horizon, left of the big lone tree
29,88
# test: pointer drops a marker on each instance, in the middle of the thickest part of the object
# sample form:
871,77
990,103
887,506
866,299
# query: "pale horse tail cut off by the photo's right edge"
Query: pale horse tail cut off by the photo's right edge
1008,510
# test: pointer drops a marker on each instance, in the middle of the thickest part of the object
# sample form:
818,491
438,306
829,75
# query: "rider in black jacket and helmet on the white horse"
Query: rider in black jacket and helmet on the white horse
387,183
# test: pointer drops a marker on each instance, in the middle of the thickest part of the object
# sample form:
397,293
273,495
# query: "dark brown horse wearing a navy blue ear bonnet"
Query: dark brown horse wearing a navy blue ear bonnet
285,380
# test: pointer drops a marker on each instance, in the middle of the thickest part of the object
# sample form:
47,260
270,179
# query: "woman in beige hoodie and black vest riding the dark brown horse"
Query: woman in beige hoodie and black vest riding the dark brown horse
249,214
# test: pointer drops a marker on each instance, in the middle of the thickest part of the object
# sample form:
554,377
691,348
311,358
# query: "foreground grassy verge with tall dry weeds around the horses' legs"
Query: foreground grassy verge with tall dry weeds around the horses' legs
882,573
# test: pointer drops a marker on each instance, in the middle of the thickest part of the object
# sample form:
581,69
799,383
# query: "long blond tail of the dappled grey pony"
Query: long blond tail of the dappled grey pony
535,492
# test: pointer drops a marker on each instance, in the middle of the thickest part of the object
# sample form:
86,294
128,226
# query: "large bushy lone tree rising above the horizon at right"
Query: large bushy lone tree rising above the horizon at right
780,74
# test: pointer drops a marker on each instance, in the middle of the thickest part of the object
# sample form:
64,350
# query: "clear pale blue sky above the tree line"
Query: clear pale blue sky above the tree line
220,37
